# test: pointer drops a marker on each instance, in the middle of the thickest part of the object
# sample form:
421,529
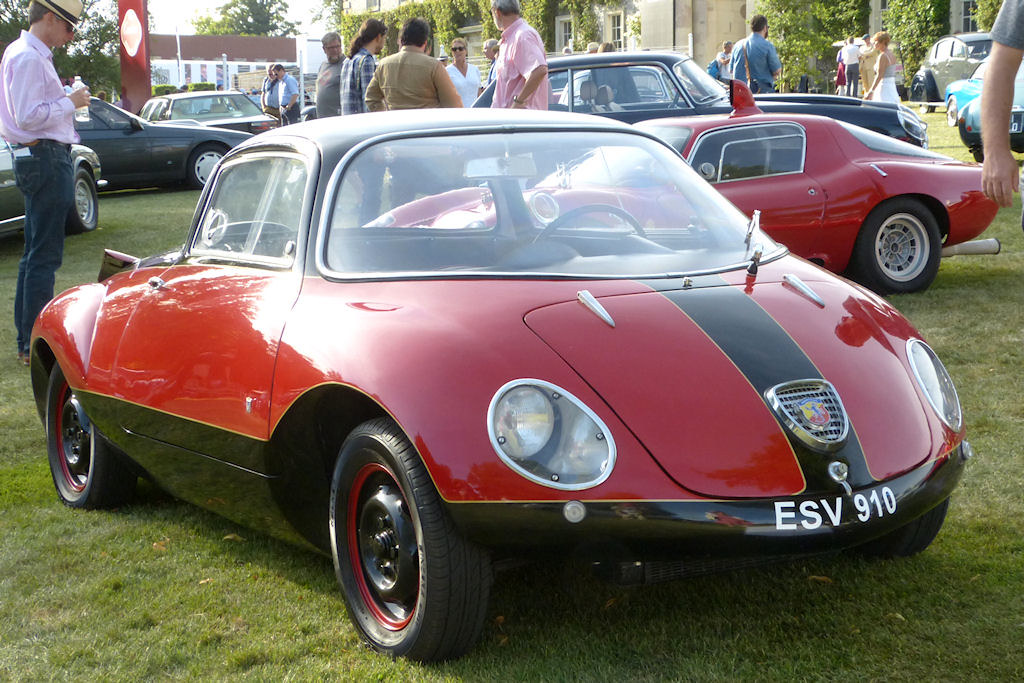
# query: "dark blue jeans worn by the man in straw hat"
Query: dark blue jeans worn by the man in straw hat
47,182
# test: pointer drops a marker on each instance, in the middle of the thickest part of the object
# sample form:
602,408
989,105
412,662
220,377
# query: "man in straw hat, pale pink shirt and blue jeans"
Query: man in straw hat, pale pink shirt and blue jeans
36,119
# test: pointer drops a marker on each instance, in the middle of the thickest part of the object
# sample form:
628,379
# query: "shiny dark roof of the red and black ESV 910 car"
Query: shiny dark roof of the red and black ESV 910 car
361,127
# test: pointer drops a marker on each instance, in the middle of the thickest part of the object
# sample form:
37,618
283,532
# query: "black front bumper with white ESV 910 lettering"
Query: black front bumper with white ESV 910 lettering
701,529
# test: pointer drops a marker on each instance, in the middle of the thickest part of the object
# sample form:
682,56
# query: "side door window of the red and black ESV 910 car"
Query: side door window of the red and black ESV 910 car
255,211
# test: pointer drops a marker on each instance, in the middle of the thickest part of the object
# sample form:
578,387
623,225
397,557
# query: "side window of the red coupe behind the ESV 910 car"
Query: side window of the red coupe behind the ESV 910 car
749,152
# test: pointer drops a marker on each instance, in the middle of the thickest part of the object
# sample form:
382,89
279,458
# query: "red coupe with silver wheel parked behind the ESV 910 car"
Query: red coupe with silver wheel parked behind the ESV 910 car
844,197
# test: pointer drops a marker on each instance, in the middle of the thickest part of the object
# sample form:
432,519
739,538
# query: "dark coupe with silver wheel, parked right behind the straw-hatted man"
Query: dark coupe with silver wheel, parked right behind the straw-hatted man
139,154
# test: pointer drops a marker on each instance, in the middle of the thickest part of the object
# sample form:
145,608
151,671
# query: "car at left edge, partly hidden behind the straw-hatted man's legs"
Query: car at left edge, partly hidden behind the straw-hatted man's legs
87,212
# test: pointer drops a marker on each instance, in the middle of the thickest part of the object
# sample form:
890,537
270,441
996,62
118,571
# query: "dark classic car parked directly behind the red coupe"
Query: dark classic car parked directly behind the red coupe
639,87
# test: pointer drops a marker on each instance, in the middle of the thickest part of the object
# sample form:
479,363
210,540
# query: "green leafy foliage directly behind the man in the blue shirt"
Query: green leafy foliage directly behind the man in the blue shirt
804,33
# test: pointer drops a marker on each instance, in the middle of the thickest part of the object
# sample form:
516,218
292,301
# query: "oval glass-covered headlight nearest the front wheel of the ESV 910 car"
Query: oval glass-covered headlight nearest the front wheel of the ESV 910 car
549,437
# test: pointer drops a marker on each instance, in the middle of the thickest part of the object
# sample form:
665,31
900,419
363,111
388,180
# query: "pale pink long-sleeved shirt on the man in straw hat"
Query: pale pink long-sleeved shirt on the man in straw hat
33,104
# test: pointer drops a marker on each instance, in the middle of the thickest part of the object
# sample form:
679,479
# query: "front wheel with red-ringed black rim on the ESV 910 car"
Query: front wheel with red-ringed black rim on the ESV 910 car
414,587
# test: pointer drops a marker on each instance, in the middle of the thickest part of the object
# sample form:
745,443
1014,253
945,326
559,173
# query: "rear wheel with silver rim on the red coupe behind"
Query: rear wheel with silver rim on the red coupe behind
899,248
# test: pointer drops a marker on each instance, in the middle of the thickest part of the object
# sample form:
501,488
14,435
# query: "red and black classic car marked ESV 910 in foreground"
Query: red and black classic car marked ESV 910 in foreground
424,341
